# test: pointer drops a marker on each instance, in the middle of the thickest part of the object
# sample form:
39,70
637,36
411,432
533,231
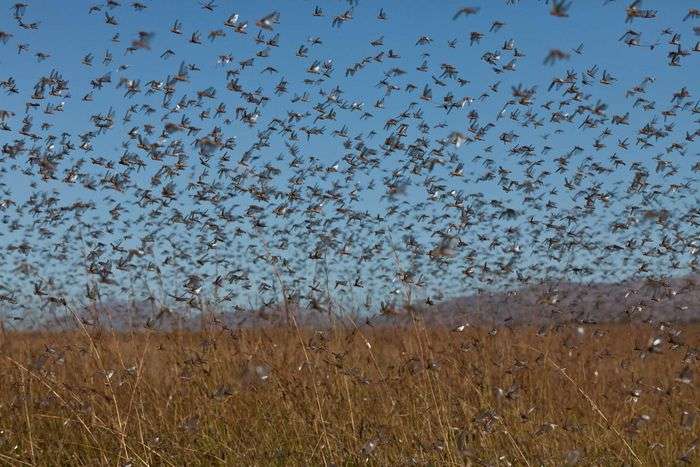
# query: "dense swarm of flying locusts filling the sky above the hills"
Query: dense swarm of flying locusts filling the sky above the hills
359,176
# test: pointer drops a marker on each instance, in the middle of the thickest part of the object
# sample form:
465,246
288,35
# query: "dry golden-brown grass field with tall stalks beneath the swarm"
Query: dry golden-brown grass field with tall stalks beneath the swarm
597,395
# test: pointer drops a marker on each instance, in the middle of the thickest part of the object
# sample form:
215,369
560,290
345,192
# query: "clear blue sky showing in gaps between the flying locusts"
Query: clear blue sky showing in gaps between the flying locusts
68,32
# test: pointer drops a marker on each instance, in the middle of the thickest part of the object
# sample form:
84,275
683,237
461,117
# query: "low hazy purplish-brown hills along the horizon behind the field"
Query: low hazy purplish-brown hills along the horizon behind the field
675,300
